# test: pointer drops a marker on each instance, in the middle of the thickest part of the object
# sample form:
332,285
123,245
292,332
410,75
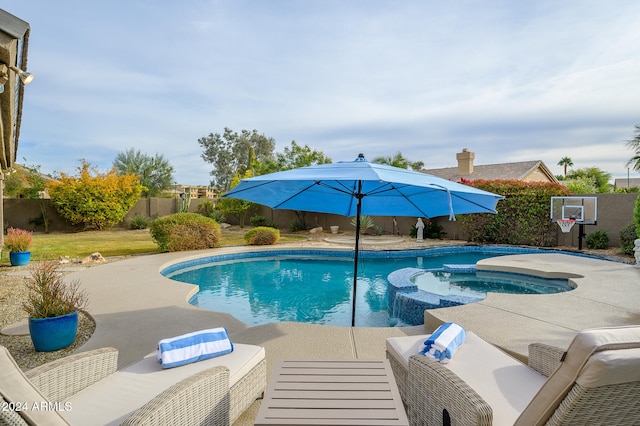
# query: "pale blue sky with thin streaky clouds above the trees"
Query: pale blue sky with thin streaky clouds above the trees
509,80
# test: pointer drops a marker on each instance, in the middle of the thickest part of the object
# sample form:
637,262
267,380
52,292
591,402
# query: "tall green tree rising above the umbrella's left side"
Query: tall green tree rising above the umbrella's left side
229,153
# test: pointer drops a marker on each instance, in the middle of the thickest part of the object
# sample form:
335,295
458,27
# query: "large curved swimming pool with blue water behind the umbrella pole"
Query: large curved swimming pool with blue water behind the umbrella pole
314,286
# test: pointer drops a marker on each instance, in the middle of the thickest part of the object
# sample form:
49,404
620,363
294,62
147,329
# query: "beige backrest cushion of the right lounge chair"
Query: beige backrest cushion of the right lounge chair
583,346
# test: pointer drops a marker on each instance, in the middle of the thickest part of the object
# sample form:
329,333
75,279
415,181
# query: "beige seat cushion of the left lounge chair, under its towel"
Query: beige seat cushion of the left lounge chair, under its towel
116,397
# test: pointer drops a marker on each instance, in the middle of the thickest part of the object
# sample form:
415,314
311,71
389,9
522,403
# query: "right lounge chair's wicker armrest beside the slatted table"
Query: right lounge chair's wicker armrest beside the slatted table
435,392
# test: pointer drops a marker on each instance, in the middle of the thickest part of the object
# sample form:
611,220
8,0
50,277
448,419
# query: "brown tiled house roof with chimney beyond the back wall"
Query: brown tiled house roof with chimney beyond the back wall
518,170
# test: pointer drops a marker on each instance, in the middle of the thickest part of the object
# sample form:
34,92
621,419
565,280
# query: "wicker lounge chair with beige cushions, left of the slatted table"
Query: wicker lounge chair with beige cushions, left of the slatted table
86,389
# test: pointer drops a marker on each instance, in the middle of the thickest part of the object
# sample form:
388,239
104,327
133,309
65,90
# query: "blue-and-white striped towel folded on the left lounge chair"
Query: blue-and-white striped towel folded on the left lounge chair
192,347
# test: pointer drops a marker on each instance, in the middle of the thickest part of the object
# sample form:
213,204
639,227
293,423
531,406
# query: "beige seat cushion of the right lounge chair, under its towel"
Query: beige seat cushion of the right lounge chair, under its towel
503,382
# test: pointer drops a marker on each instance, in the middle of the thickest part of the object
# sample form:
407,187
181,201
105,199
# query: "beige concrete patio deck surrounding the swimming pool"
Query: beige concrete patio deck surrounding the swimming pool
134,307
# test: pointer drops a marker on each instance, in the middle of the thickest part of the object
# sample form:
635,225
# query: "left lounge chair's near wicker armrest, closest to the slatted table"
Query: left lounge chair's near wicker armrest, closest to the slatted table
202,398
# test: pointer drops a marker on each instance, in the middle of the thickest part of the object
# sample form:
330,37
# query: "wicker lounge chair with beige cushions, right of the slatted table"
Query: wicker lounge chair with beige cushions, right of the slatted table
596,381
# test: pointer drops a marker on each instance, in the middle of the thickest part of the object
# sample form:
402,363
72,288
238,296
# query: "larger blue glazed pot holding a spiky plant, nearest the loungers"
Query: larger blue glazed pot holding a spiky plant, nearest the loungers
51,334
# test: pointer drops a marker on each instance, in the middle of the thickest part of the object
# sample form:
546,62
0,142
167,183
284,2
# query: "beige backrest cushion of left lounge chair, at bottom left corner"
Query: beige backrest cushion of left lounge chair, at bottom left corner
16,388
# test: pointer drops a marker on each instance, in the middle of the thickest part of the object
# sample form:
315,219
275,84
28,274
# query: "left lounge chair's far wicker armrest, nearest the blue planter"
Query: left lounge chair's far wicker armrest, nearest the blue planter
62,378
